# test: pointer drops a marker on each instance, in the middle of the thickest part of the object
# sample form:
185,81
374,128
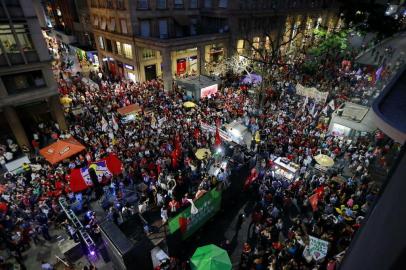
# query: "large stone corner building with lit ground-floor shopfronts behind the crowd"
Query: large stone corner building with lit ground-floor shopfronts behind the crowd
144,39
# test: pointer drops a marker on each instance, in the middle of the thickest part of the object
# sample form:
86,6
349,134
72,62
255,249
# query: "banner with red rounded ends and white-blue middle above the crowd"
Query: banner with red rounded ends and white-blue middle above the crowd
80,179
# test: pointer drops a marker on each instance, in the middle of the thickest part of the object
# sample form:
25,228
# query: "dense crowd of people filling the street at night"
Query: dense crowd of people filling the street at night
158,146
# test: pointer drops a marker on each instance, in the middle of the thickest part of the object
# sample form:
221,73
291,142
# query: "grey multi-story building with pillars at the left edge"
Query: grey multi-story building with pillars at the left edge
28,90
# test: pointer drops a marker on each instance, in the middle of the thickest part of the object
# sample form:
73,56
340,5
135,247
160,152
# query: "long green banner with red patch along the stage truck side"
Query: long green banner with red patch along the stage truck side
207,206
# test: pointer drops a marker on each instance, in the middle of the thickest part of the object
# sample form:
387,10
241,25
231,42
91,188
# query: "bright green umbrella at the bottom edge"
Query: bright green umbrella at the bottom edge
210,257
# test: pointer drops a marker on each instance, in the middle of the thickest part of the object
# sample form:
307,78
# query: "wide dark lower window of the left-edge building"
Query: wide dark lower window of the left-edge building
16,83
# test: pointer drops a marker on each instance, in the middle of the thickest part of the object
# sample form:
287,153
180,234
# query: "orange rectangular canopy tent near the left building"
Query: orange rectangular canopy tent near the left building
61,150
